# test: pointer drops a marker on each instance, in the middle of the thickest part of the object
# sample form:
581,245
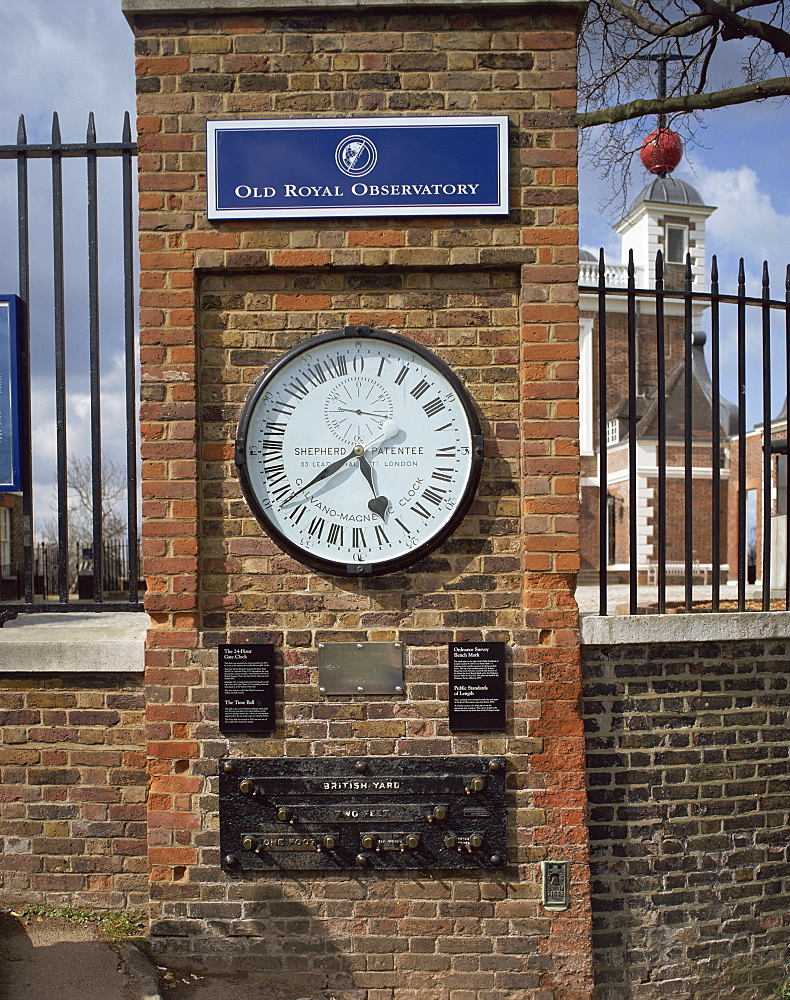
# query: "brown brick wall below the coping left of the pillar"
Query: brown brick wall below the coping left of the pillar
72,791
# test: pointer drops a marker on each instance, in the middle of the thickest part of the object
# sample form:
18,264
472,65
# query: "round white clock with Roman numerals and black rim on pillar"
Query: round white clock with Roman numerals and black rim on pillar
359,451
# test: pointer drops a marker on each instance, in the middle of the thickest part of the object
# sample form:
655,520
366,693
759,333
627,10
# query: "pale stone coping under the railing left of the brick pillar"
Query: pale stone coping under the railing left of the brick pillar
74,643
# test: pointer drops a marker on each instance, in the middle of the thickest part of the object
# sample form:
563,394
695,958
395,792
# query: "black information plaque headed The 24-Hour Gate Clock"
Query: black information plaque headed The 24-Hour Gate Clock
246,688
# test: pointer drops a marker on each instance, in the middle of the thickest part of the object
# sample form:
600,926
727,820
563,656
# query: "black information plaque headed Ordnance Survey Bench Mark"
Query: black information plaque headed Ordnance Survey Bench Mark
477,685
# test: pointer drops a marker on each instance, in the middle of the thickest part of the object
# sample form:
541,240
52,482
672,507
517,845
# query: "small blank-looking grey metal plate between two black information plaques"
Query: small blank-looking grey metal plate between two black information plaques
360,668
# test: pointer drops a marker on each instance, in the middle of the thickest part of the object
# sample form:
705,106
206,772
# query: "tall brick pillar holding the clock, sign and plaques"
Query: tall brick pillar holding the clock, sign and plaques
496,298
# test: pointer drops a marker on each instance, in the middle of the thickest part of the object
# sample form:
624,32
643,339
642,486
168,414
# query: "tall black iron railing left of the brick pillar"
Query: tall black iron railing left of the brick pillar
91,151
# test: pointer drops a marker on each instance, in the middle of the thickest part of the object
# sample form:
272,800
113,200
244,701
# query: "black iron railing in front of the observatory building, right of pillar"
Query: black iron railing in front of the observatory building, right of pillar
731,448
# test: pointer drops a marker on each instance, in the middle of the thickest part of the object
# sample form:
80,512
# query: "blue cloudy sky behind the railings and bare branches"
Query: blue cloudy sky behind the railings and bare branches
77,56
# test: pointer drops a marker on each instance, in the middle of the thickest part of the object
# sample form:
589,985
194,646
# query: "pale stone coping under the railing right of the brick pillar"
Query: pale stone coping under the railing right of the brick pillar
597,630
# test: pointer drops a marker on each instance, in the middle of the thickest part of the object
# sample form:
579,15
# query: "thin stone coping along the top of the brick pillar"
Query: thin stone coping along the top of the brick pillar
132,7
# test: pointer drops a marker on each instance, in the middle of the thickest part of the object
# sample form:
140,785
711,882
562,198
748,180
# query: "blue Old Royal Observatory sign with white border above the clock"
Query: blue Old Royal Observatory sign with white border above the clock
338,167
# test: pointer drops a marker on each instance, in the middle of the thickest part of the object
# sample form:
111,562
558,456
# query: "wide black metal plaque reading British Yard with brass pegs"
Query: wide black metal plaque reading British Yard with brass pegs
374,813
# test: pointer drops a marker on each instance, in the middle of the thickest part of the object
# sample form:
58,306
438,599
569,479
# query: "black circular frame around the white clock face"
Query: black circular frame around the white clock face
413,555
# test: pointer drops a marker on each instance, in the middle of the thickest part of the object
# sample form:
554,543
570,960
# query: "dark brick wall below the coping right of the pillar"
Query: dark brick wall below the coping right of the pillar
689,818
